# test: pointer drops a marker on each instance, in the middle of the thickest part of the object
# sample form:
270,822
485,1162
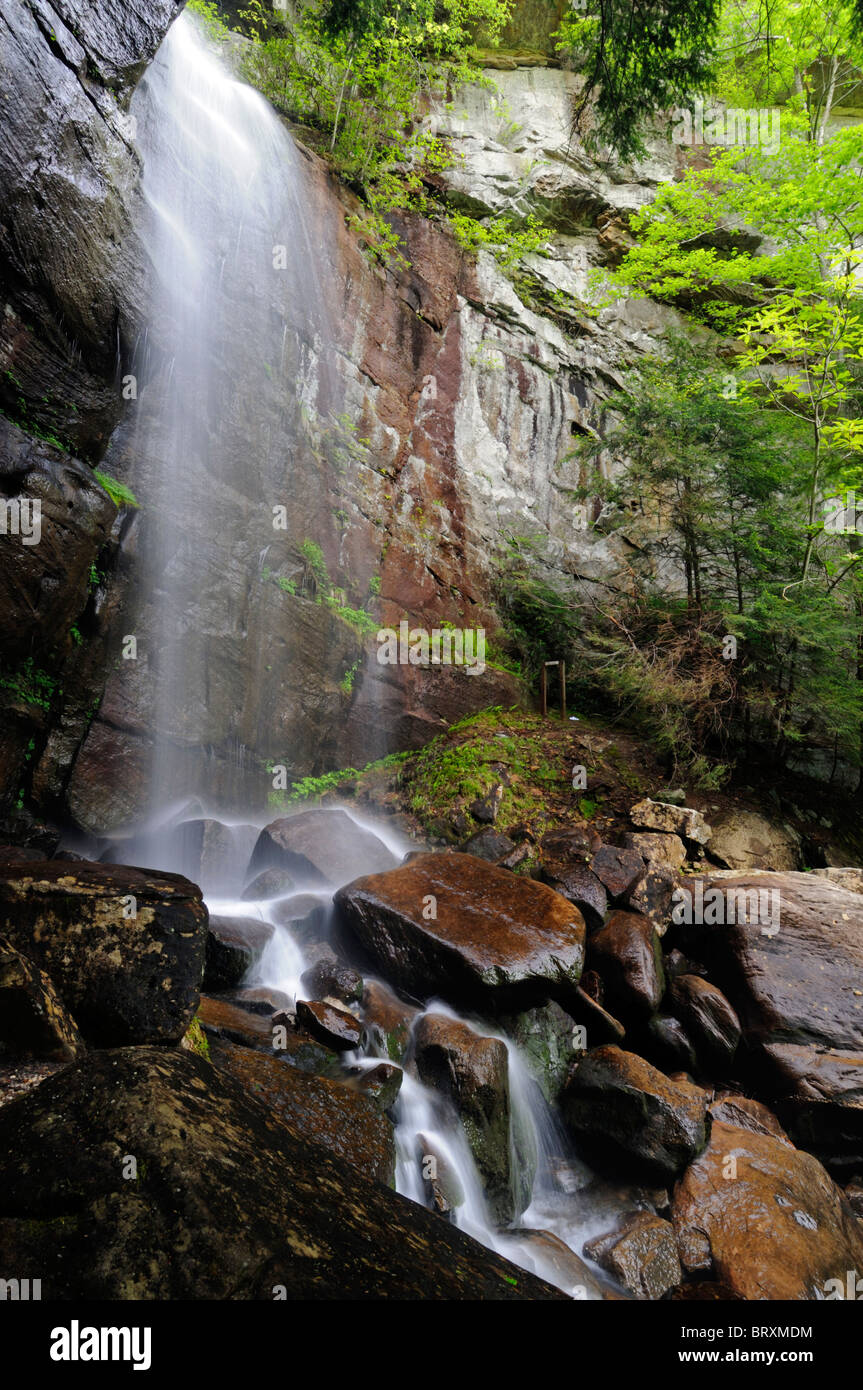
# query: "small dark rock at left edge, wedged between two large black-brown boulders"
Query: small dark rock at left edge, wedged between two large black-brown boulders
34,1022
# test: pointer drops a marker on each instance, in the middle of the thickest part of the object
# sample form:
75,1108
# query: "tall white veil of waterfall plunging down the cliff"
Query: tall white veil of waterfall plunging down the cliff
236,354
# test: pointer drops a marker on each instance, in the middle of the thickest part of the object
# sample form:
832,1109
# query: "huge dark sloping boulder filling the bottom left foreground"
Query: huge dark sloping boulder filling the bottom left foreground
224,1202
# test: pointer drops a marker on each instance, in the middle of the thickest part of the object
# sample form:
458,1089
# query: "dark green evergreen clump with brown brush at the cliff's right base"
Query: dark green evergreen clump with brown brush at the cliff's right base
721,486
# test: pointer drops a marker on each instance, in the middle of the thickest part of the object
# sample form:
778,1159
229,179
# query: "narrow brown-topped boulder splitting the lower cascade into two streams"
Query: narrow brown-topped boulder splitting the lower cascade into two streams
473,1072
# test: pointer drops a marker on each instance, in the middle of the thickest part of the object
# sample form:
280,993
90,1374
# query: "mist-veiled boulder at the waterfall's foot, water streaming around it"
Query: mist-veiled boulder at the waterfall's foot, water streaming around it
320,846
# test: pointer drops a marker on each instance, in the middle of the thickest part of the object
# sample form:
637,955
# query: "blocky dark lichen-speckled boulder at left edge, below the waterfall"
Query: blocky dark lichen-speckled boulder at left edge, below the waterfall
124,947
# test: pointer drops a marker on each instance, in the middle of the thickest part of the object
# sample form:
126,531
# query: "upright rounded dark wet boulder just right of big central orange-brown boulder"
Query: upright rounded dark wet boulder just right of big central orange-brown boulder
627,954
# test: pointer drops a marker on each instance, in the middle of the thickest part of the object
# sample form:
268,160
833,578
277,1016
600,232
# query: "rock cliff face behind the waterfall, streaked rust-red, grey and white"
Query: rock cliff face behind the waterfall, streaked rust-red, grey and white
465,395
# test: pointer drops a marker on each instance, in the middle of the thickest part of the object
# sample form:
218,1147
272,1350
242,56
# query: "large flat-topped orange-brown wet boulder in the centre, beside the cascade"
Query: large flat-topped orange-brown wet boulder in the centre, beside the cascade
461,928
